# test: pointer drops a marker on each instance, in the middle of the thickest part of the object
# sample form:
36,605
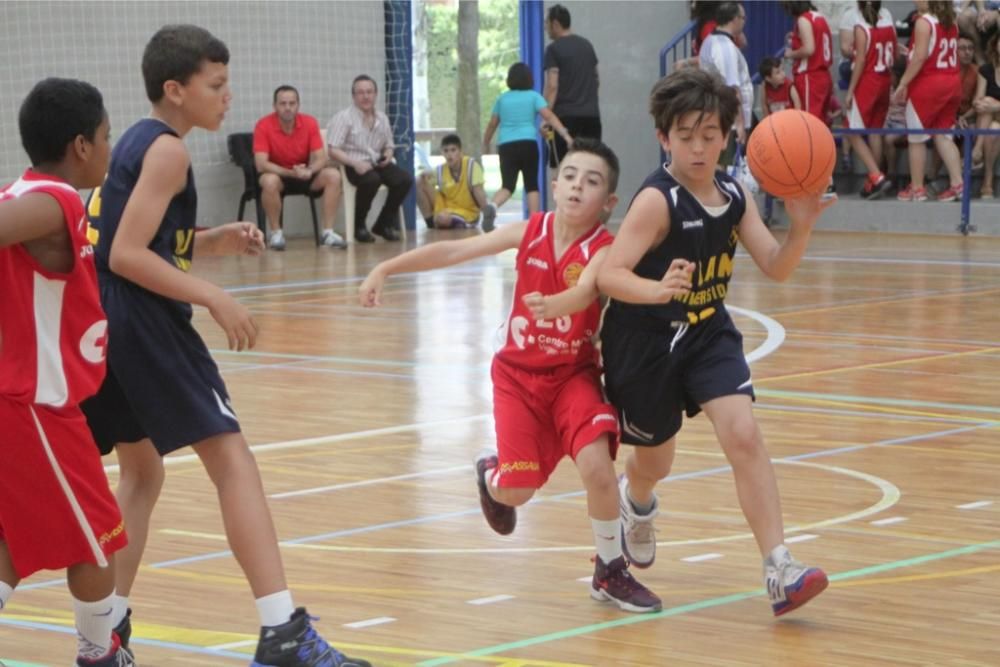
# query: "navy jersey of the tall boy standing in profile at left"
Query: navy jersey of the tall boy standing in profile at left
174,240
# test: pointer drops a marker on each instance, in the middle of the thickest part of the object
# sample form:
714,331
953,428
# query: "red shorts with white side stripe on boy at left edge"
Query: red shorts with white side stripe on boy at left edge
56,508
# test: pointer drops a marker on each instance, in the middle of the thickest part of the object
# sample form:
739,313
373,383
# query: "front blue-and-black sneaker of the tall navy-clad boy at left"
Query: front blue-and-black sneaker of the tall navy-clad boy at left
297,644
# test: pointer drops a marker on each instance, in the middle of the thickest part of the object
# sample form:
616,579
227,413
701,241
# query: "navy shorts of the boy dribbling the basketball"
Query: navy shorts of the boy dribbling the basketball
653,377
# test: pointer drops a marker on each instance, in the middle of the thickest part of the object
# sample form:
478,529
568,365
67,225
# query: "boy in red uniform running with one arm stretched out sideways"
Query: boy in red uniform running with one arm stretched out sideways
546,379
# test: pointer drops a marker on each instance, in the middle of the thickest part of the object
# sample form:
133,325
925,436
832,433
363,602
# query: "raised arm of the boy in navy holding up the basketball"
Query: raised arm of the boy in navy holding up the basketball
778,260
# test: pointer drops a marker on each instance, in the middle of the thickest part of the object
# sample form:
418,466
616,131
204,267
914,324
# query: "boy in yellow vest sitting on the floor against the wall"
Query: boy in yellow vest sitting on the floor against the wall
452,196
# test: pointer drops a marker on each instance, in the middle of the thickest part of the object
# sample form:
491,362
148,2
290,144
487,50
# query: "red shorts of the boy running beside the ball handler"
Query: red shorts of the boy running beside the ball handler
542,416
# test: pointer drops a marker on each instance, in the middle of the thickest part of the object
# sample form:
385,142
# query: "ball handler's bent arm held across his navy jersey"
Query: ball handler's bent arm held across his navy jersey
646,225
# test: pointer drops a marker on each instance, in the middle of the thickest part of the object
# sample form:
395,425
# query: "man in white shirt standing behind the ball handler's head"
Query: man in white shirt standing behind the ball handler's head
721,55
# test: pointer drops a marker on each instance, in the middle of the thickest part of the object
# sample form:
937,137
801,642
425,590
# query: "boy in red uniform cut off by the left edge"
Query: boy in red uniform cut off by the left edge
56,509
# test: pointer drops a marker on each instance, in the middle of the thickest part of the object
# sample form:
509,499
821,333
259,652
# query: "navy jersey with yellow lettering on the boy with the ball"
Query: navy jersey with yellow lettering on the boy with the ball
698,236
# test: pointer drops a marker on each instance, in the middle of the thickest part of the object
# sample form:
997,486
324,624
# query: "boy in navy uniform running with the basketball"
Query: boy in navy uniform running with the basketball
668,343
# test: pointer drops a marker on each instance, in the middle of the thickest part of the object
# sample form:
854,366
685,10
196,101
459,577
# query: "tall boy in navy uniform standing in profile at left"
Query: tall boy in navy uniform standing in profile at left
163,390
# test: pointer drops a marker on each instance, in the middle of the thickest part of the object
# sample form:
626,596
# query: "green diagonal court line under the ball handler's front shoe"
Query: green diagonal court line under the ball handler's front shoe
697,606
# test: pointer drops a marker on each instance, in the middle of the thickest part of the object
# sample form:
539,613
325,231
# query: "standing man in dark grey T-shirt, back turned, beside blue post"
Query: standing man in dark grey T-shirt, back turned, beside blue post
571,80
